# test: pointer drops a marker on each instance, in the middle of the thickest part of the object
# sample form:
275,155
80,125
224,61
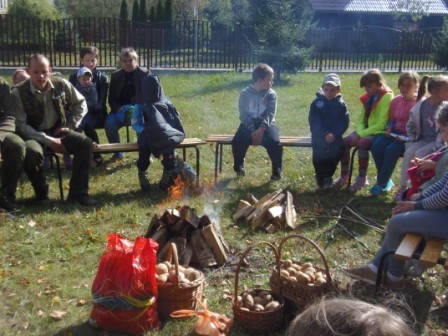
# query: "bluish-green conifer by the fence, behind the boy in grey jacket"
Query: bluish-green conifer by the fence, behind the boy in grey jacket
281,27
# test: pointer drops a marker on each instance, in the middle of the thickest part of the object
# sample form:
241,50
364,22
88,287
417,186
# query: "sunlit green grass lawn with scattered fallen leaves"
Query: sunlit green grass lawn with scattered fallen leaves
49,255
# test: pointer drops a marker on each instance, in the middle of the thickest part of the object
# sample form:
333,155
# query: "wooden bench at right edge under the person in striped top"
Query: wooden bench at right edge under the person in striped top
415,246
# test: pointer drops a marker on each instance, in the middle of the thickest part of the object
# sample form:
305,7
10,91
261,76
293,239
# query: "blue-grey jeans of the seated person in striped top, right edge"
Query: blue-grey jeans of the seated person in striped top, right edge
430,223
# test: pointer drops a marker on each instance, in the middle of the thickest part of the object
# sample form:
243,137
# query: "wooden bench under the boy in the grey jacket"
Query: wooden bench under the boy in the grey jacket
226,139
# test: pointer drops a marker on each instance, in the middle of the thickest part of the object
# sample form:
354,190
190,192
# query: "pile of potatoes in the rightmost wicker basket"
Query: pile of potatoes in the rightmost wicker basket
304,273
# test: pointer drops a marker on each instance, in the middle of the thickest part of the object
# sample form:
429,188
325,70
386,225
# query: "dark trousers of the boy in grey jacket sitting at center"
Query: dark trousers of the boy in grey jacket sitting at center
243,139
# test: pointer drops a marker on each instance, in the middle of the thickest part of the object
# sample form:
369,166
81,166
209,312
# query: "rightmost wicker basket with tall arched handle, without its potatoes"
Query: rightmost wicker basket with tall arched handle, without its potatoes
300,294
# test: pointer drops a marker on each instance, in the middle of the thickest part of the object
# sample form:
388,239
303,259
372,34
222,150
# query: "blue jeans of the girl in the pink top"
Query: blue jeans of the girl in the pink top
386,151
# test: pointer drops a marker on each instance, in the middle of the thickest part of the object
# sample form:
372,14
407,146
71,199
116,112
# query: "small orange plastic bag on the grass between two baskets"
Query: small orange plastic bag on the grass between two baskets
209,323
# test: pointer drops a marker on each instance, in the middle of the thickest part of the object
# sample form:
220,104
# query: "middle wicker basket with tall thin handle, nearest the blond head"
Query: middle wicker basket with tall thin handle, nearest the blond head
258,322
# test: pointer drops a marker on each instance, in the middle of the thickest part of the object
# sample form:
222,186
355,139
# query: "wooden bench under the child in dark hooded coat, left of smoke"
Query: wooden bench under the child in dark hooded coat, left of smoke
133,147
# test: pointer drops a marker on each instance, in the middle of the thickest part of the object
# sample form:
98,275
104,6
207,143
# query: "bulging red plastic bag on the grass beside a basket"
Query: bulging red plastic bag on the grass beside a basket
125,289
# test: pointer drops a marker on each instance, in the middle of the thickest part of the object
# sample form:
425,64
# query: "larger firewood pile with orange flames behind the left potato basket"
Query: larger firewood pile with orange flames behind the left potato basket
198,240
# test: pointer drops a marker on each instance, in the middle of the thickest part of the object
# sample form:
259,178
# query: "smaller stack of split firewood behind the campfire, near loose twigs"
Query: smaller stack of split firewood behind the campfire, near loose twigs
272,212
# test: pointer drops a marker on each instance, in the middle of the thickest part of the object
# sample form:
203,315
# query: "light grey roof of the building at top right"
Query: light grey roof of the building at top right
438,7
